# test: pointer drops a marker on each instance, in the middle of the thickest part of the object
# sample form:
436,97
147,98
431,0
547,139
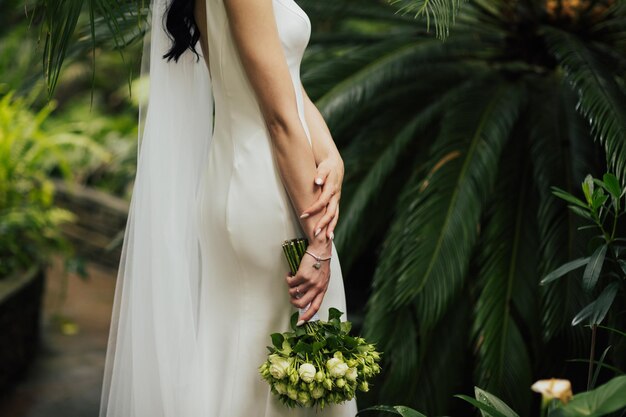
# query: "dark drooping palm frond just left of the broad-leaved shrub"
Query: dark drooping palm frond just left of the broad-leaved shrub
560,144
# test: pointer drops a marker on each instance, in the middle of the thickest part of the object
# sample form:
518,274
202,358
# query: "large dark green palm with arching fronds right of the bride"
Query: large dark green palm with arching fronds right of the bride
452,148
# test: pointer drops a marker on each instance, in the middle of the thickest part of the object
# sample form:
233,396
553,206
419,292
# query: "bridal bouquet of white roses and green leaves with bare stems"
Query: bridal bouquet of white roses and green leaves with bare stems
317,363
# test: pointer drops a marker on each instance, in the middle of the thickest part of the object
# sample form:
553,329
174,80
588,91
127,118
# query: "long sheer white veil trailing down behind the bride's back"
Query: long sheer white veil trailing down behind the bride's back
151,357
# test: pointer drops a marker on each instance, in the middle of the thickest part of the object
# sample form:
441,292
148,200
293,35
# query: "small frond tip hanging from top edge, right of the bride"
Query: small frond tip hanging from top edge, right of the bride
443,12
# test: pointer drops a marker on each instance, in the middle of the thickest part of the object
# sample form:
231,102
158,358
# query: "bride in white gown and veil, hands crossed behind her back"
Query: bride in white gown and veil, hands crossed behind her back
234,158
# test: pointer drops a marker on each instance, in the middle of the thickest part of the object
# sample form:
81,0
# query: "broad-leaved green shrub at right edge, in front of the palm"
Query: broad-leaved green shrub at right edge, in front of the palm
605,270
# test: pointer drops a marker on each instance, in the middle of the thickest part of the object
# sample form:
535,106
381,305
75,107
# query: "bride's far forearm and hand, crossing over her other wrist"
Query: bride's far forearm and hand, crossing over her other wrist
330,168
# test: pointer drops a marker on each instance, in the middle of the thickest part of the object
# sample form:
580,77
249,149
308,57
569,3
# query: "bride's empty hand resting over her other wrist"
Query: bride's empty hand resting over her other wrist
330,177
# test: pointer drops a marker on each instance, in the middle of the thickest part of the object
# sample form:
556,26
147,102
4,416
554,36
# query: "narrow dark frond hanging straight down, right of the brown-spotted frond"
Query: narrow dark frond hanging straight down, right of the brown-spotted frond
508,278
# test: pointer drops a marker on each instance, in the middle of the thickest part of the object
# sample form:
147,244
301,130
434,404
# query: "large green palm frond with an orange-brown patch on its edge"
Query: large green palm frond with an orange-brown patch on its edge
429,255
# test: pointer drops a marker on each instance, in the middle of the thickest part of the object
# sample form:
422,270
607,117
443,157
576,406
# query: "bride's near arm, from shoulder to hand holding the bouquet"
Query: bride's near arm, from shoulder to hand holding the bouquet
254,30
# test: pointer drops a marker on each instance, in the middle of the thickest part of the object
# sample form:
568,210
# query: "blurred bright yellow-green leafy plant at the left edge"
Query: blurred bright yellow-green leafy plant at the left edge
30,224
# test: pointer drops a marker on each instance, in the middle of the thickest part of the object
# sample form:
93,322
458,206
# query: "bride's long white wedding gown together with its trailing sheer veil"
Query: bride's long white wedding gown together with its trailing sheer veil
192,348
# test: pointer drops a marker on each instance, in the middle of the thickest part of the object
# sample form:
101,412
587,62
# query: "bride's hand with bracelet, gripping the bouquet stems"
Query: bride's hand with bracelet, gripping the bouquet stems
309,286
